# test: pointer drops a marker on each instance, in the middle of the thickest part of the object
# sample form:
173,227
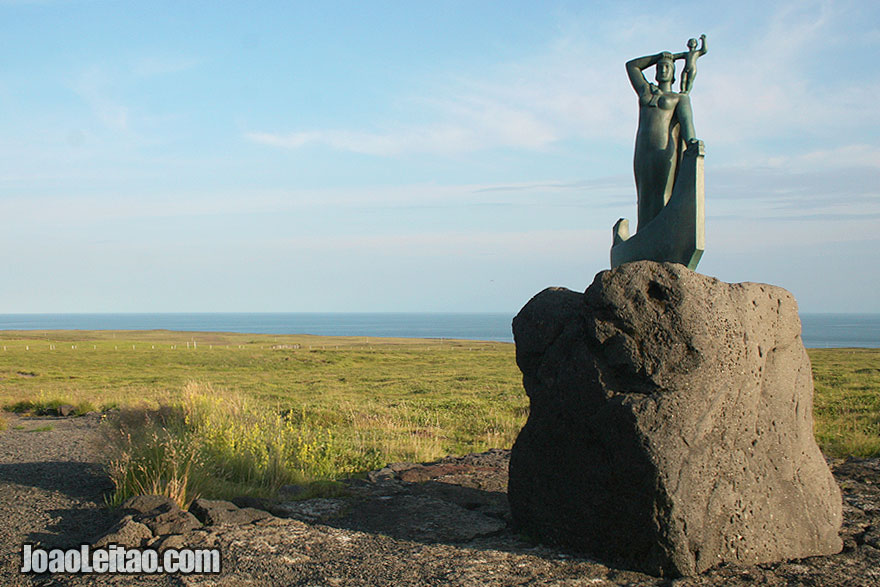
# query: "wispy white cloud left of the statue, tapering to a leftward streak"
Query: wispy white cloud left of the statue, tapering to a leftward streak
530,105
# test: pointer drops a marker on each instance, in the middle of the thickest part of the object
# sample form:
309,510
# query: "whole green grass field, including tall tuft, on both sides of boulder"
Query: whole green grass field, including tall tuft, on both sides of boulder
246,413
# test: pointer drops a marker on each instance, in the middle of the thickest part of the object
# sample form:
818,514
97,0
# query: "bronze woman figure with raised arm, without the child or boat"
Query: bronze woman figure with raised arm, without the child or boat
665,124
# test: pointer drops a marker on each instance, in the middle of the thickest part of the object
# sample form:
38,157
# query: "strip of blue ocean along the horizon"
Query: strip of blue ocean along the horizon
819,330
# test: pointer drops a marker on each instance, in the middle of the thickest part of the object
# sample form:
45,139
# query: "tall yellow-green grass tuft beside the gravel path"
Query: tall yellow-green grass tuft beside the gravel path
221,444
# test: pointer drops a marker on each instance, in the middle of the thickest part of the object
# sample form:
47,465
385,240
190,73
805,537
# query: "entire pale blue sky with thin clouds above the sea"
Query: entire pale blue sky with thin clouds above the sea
416,156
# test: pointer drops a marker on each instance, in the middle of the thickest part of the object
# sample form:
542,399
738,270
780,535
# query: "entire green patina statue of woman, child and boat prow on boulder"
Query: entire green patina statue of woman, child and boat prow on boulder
668,166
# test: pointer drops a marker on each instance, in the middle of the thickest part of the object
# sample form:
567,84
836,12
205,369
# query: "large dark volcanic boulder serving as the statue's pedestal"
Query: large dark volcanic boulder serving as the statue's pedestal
671,424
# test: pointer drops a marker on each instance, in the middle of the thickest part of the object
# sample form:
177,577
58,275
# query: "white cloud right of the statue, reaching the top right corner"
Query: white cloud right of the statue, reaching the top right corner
773,87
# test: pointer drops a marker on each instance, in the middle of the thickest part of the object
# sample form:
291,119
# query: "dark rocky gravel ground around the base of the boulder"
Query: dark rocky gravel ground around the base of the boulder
407,524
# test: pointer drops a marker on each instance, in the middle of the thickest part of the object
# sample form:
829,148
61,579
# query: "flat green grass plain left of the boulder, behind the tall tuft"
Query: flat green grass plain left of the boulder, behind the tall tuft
427,383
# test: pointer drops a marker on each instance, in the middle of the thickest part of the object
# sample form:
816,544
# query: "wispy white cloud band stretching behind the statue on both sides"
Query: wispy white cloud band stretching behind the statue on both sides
574,89
